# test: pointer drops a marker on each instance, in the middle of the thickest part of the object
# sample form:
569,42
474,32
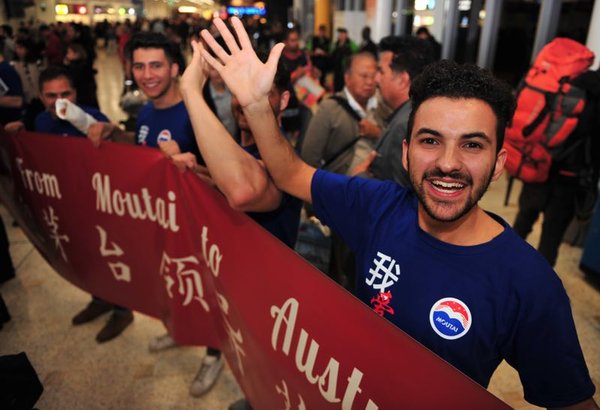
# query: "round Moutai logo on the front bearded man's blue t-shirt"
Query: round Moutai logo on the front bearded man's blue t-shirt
450,318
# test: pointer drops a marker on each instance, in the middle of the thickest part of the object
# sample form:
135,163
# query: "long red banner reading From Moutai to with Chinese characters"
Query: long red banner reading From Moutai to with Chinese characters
124,224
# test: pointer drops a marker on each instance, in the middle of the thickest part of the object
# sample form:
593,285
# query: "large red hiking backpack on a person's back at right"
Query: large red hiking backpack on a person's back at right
547,111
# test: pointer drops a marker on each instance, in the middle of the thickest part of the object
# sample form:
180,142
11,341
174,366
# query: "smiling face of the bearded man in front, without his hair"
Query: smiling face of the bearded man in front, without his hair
451,157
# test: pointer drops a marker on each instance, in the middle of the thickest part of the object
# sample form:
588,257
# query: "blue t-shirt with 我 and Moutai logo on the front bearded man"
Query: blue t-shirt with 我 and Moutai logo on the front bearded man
472,305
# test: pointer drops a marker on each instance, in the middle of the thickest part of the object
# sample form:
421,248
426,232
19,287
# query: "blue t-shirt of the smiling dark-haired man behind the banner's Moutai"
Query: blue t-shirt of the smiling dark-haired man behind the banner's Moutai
173,123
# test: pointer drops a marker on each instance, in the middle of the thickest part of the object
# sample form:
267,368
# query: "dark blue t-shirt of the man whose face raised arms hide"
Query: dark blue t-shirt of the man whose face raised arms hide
283,221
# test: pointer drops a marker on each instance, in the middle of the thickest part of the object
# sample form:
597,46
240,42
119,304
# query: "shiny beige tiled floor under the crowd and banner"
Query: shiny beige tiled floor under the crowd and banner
77,373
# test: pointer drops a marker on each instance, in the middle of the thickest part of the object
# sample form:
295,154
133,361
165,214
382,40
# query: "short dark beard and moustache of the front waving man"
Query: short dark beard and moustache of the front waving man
471,200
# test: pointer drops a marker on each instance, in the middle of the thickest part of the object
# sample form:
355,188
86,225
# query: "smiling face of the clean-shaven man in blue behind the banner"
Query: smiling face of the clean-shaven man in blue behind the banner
154,74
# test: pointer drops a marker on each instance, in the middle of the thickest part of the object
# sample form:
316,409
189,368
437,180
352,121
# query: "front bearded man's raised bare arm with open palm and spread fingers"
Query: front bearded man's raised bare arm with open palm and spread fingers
250,81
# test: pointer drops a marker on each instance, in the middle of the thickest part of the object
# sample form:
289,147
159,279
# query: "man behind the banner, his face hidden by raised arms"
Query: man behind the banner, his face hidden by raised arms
236,170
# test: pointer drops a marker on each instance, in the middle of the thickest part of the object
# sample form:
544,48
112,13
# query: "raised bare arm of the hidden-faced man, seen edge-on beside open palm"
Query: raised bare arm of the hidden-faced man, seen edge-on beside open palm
239,176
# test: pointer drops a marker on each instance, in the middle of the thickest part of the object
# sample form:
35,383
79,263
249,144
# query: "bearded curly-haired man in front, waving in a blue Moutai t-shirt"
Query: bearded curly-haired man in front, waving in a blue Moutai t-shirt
453,276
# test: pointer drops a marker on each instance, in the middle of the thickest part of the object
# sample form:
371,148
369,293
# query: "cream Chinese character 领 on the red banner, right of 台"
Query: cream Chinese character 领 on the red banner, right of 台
189,282
